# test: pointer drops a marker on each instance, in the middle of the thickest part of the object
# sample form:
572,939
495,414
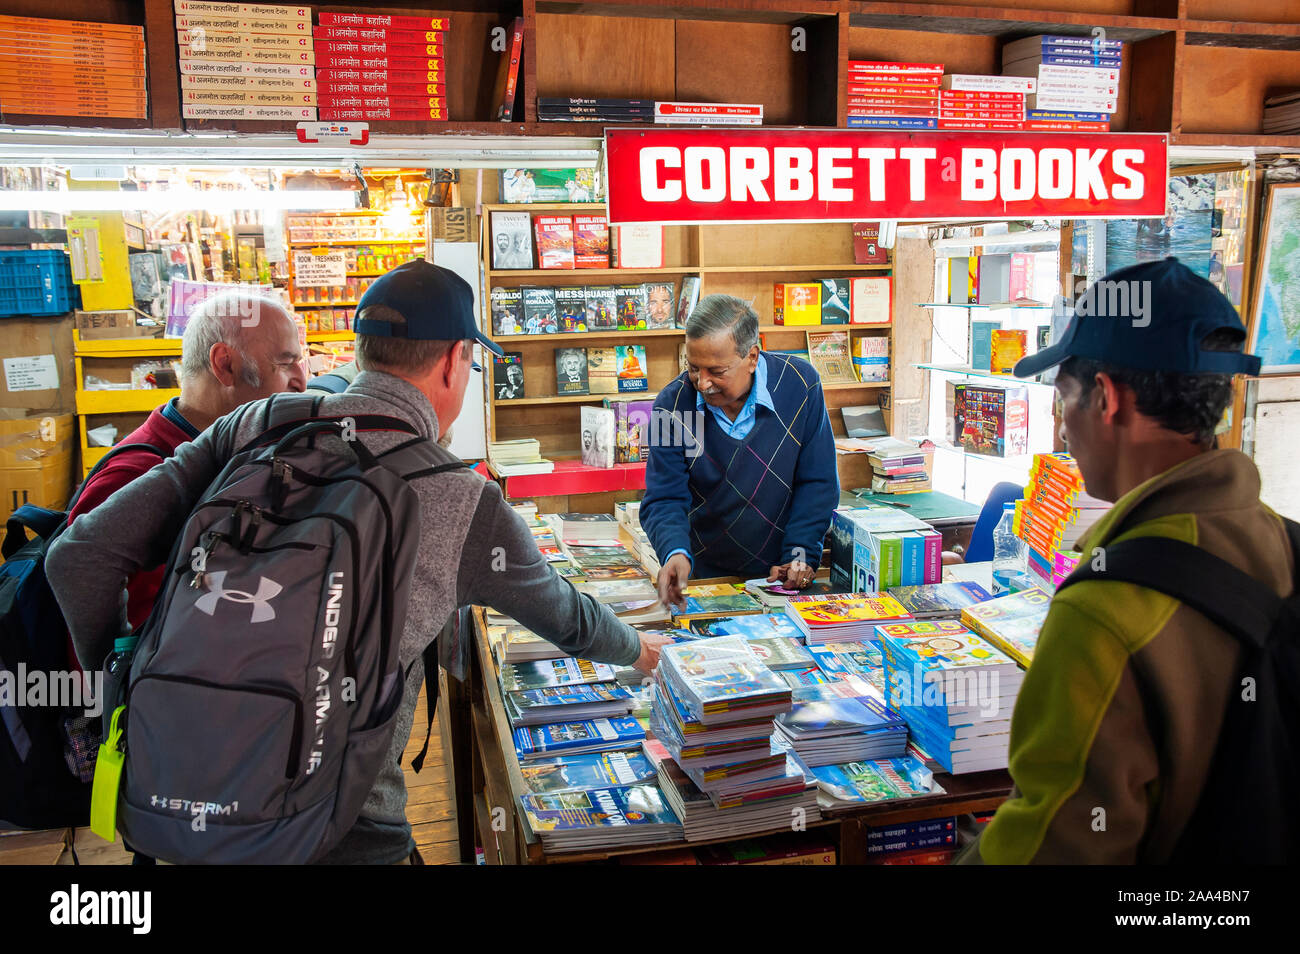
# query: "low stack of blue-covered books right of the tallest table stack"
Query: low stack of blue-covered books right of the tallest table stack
830,732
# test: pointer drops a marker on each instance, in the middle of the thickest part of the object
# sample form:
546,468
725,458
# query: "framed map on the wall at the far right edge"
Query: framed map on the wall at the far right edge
1276,319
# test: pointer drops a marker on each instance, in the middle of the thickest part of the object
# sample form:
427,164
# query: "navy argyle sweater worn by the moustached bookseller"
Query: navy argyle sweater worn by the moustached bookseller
740,508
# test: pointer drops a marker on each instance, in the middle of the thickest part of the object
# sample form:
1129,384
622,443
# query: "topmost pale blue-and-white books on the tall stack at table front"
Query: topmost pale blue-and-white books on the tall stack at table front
721,680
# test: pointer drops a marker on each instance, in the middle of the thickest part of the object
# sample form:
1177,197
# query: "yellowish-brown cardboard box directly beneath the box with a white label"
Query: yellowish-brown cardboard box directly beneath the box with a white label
38,458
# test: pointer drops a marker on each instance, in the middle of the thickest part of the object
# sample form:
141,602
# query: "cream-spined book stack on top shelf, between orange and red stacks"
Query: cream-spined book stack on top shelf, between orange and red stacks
246,62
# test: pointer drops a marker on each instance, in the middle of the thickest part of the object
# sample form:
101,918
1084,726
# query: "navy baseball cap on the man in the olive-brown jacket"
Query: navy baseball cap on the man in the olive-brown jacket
1151,316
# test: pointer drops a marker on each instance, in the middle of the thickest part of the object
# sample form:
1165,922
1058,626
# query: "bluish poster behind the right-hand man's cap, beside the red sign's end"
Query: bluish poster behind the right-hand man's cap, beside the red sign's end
1186,231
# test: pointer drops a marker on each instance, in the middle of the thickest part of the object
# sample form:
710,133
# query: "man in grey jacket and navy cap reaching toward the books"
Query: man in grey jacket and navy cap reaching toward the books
415,336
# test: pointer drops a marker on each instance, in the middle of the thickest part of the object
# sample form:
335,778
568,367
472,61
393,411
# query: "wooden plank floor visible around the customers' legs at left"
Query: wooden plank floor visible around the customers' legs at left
431,809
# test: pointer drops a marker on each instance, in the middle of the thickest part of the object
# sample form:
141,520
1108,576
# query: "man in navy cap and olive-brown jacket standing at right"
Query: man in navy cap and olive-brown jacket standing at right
1116,723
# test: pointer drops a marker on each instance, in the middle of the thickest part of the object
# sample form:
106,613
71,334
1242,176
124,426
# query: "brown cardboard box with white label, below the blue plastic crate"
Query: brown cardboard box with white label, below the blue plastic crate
37,363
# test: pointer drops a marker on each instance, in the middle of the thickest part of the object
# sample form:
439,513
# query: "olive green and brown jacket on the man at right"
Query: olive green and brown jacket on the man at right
1120,713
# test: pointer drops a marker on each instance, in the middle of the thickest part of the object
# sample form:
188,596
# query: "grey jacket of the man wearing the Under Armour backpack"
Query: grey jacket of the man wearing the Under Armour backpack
463,522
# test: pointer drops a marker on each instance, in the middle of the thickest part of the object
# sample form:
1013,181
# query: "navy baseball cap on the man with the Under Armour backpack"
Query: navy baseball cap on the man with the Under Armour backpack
436,302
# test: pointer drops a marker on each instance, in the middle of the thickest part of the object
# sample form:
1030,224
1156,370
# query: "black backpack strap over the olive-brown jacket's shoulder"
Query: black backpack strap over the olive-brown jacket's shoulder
1229,597
